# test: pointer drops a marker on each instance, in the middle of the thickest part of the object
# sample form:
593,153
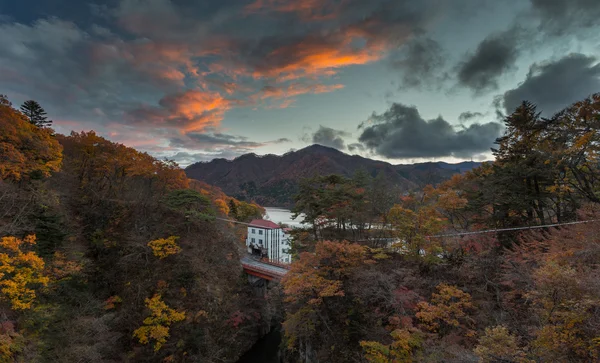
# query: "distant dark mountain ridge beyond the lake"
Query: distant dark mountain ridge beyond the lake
272,180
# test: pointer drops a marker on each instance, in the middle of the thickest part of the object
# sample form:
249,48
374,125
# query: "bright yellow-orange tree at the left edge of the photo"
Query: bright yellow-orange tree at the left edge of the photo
18,271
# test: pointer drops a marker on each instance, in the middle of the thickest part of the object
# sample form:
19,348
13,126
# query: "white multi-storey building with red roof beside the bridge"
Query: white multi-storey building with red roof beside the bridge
269,240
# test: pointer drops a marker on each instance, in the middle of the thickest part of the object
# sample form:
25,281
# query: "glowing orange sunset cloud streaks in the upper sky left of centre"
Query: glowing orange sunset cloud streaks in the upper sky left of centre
226,67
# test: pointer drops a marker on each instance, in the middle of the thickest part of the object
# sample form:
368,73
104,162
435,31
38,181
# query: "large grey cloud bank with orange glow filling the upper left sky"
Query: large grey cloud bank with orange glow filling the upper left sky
180,64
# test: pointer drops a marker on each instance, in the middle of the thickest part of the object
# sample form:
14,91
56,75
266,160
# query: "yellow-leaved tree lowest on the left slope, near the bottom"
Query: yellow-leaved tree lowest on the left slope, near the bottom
156,326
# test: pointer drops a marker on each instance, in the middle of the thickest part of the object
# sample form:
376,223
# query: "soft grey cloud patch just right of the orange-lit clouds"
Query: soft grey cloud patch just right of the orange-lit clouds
421,62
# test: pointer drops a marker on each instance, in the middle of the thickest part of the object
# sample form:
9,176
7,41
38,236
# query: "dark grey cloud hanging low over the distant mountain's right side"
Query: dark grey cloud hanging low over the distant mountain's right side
401,132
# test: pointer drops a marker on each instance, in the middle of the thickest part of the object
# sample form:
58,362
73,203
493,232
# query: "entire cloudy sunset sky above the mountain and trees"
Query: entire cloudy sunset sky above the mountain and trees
396,80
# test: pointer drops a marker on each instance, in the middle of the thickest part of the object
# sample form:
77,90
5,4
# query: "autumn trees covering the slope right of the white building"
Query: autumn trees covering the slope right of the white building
512,296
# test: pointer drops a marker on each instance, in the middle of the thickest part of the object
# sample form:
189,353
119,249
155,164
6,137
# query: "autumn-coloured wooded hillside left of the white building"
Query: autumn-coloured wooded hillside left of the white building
108,255
